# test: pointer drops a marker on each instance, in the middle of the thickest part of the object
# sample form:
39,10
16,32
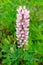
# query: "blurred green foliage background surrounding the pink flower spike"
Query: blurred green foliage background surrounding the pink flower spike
9,53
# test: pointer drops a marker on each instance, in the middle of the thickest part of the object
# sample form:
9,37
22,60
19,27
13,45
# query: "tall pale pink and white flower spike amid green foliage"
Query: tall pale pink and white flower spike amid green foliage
22,23
